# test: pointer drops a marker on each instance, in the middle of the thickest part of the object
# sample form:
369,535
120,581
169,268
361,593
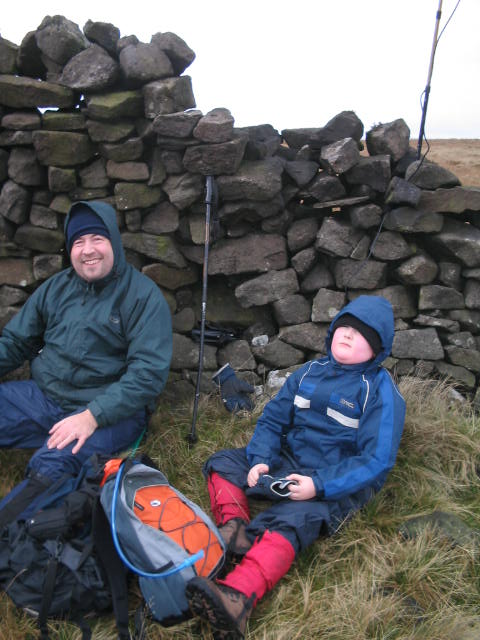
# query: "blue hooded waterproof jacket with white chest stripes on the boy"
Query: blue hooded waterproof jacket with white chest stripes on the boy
342,423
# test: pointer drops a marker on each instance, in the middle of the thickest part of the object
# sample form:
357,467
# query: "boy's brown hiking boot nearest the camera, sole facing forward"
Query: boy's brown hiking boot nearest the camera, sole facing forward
226,609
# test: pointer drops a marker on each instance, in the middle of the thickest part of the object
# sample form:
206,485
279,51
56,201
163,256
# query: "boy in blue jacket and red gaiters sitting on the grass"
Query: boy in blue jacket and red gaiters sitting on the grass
321,449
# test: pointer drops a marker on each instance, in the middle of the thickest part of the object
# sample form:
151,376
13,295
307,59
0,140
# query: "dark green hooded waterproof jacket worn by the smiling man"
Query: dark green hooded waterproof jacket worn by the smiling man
104,345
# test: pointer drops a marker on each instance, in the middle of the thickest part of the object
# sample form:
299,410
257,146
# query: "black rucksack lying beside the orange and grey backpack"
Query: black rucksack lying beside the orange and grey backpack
49,565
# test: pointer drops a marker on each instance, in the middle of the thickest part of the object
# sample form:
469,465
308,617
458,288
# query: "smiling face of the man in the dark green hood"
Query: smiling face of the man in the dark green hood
92,256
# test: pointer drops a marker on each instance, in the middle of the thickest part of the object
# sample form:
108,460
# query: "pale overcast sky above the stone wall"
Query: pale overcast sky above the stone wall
297,63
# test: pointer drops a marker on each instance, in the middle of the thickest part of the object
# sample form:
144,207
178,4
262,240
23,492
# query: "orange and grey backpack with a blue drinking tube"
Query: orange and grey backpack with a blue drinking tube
161,536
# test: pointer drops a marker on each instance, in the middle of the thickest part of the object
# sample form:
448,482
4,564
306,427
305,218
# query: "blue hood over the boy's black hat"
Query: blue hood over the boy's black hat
375,311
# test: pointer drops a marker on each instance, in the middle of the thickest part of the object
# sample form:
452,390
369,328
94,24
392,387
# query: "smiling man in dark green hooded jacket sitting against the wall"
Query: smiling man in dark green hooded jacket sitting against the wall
99,341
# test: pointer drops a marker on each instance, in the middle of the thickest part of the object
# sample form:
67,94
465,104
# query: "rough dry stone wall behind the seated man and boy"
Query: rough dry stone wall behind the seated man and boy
308,219
